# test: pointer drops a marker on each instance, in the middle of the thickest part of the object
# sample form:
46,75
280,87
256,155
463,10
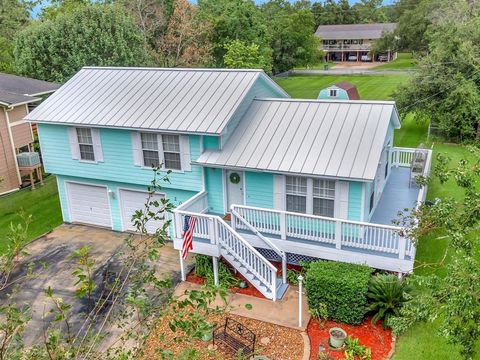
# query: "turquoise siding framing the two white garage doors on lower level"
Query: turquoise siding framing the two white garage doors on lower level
177,197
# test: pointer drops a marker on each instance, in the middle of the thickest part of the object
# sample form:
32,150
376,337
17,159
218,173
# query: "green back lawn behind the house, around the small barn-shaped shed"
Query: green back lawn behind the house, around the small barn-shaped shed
370,87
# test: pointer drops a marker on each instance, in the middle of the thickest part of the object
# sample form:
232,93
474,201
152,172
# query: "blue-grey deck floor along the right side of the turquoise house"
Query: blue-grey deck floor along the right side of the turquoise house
396,196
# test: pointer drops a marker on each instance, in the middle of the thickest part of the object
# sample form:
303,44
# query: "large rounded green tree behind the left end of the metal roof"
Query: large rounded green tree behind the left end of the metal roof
100,35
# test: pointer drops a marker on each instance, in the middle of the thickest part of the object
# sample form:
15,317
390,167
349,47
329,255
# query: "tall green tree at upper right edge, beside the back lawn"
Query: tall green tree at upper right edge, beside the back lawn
448,78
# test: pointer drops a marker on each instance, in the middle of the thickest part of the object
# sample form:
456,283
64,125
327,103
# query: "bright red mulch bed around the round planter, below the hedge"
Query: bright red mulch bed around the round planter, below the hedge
371,335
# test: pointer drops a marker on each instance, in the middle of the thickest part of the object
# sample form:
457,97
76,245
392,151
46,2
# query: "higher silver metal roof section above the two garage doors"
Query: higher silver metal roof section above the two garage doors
168,99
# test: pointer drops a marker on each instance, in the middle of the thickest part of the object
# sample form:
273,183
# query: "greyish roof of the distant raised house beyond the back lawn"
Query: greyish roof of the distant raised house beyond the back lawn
354,31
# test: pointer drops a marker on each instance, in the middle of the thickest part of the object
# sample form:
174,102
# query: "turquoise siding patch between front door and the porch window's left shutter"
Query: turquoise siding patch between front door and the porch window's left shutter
259,188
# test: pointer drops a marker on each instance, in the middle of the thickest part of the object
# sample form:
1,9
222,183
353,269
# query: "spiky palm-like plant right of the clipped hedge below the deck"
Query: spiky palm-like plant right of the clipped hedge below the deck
387,294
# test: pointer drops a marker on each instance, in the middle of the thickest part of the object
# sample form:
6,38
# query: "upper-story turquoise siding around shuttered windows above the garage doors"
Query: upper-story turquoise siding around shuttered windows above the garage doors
118,163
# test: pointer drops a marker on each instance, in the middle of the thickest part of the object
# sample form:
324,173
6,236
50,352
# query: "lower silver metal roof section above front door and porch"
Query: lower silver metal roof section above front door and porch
327,138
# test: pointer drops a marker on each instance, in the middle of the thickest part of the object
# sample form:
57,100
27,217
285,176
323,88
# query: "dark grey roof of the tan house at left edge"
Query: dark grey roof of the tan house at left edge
26,86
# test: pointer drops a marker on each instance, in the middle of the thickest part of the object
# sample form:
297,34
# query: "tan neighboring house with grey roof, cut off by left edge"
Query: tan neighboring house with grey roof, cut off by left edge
16,136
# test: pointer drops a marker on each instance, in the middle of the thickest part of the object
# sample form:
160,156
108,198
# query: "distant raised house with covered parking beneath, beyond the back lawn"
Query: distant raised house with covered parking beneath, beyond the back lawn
353,42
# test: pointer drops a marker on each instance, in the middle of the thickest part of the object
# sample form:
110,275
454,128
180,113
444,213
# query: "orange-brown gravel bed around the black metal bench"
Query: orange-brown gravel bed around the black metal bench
273,341
